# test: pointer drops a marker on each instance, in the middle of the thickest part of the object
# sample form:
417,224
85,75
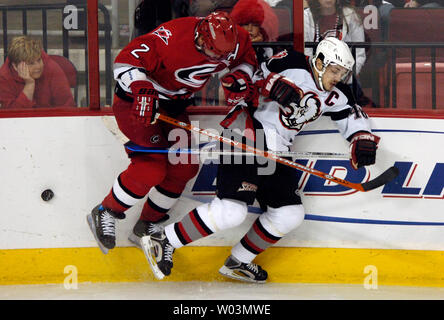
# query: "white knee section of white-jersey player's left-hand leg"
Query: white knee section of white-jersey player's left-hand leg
223,214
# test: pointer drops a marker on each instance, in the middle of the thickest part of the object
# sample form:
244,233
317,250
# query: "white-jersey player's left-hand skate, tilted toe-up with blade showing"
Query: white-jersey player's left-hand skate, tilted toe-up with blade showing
159,253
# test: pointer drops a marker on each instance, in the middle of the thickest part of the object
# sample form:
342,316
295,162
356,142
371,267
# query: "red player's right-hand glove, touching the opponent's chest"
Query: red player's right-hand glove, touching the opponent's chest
237,87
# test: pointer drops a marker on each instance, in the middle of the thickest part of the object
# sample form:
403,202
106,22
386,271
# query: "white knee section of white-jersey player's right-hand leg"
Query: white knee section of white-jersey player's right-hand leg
280,221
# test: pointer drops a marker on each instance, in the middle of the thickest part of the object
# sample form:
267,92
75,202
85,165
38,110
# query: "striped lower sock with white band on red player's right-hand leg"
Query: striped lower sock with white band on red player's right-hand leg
158,203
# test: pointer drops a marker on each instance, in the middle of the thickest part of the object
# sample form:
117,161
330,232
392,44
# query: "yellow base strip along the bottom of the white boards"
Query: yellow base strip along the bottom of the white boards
284,264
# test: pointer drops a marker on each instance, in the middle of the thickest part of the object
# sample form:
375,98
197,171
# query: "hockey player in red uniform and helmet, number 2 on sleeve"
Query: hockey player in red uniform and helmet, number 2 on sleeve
159,72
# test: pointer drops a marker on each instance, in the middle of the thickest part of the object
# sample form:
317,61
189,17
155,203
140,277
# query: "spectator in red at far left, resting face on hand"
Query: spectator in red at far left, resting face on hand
30,78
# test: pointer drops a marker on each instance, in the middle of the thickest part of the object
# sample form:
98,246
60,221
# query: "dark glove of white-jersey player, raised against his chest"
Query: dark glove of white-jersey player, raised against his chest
281,89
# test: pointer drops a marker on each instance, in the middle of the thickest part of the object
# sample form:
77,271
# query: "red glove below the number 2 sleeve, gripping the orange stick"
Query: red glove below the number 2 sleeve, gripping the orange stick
146,102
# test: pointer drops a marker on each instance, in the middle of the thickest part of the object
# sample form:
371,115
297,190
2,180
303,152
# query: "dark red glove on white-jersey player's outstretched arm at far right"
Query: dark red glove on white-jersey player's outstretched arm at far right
363,147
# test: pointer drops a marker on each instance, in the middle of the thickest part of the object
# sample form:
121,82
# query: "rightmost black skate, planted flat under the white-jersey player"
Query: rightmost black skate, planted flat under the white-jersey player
249,272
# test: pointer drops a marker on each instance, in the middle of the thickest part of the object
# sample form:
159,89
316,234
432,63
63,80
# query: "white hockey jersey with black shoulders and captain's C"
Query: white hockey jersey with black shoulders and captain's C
281,125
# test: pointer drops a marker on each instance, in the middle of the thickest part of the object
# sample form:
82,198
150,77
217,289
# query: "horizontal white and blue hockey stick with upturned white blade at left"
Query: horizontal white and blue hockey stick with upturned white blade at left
111,125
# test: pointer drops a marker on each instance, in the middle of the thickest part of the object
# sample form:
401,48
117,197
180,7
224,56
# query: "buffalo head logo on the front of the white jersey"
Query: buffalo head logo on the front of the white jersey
295,116
